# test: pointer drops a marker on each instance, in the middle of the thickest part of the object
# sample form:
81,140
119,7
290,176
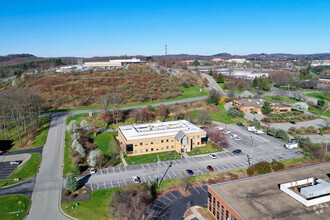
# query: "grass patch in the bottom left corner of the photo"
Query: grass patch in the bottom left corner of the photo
10,205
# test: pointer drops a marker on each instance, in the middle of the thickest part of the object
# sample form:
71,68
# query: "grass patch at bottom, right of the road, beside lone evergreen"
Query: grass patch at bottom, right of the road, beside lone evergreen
96,208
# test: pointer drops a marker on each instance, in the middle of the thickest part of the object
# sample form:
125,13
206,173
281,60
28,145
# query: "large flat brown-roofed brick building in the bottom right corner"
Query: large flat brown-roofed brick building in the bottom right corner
278,195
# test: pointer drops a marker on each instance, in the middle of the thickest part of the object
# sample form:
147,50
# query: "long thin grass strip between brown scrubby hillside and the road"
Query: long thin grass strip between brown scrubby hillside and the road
190,92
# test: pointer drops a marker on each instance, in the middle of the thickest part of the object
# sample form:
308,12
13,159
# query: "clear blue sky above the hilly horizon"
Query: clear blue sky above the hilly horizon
130,27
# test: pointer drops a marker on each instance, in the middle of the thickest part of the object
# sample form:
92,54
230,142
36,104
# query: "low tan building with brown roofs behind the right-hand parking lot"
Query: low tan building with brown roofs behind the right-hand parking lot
248,105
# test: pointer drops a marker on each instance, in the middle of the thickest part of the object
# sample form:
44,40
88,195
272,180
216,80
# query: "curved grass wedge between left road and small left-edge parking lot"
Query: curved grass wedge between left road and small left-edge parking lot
24,172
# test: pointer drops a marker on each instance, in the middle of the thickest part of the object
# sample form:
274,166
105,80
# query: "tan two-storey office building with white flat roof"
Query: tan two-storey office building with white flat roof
181,136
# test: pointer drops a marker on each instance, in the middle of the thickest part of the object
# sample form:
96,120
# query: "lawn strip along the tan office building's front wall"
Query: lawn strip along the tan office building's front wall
150,158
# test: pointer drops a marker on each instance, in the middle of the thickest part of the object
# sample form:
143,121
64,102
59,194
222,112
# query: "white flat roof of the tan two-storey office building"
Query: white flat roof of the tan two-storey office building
161,129
